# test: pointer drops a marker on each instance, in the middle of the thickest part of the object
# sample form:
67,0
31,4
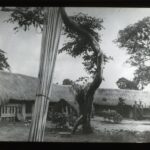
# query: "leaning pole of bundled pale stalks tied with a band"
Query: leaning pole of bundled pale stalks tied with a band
50,40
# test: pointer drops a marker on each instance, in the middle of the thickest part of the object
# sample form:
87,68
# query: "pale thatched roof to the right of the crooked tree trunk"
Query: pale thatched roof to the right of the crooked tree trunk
111,96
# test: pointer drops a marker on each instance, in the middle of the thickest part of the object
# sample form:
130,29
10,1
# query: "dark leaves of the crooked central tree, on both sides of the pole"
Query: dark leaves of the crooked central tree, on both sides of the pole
76,45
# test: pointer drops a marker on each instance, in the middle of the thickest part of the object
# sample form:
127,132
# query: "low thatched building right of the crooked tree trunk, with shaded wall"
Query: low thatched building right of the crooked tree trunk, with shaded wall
106,99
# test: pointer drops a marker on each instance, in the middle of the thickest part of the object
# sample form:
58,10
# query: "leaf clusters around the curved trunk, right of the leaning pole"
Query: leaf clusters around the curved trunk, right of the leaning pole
79,45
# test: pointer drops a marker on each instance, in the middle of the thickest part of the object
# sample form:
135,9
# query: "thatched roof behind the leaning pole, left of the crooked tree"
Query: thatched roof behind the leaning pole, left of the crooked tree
23,88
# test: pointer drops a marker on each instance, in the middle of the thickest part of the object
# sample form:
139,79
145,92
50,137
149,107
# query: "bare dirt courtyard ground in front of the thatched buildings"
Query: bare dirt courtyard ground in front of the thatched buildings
126,131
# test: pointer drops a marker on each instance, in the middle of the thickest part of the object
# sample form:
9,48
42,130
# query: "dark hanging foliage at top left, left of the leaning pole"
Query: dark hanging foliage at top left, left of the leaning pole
26,17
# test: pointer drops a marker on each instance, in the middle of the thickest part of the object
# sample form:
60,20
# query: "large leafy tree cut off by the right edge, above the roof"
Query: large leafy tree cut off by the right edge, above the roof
135,39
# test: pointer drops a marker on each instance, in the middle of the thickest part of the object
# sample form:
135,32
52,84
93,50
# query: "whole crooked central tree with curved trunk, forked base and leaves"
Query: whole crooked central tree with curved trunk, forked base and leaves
81,30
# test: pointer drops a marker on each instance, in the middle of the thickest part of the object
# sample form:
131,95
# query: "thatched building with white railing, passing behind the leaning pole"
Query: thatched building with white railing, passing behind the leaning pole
18,94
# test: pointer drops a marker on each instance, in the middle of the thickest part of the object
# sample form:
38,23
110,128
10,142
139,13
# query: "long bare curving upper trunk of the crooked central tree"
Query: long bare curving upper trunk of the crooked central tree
95,46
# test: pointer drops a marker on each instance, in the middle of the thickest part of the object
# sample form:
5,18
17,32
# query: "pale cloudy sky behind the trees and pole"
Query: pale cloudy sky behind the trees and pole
23,48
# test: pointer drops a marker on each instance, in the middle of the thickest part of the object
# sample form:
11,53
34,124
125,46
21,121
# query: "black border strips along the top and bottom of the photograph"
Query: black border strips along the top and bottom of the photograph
73,3
